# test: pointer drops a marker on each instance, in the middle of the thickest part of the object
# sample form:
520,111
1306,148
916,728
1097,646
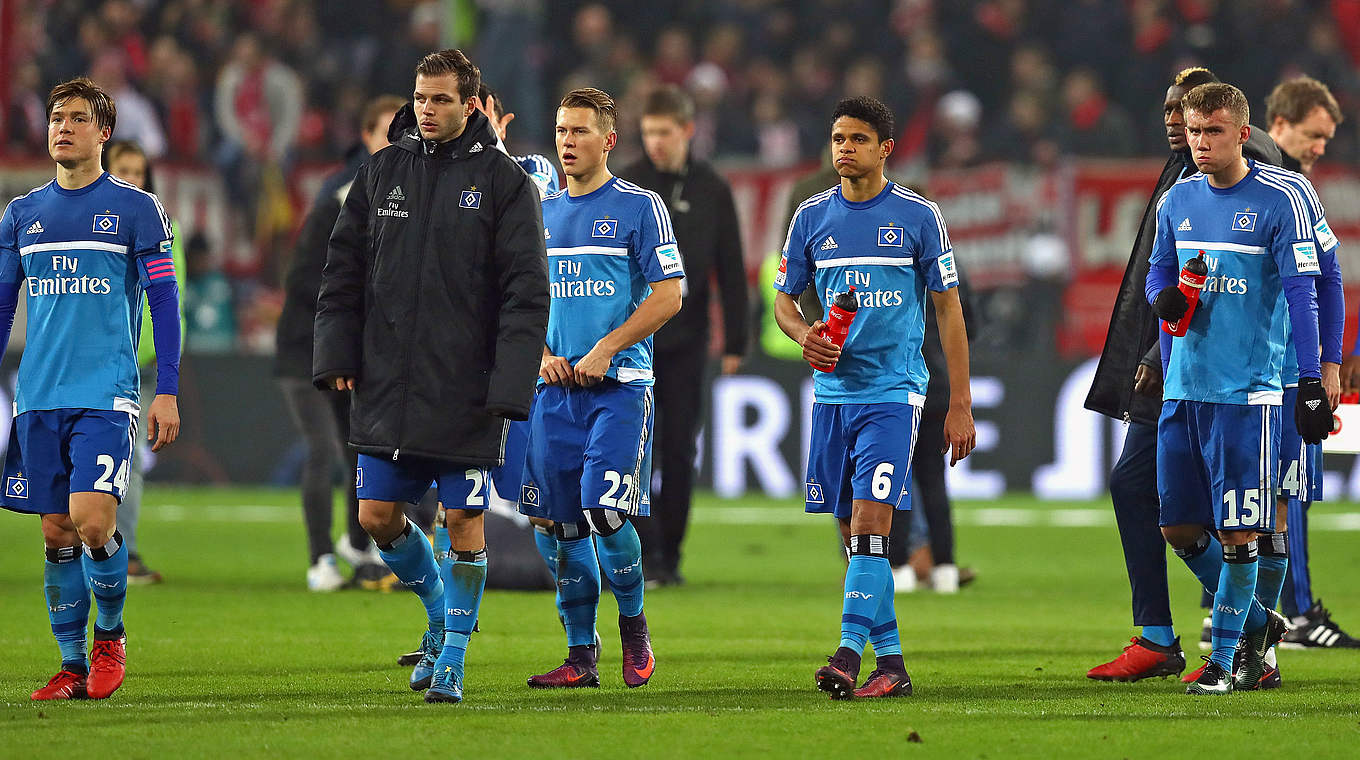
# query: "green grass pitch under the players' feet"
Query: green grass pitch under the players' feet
232,657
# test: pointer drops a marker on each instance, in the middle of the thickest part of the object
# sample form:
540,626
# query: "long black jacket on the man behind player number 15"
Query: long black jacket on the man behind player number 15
1134,328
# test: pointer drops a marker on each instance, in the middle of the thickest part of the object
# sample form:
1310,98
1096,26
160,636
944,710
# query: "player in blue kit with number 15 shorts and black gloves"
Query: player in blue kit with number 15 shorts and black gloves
1219,432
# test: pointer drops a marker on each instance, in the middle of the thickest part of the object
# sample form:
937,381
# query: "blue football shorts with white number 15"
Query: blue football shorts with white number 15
1218,464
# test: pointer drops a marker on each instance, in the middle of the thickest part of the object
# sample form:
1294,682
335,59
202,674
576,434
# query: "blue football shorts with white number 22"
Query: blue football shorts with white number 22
590,448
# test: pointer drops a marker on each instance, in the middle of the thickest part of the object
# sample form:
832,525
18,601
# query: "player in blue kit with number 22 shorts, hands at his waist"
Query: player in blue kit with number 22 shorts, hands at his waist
615,274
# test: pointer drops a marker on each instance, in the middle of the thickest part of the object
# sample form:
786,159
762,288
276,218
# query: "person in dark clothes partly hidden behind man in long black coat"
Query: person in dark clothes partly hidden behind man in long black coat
323,417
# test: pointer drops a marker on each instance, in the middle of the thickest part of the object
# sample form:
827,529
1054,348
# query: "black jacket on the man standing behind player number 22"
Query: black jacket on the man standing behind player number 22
705,221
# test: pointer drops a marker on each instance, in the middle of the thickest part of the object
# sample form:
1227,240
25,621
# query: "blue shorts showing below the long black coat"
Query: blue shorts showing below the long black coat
409,479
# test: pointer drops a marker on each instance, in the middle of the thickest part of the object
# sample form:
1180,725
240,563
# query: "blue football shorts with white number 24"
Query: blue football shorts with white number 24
55,453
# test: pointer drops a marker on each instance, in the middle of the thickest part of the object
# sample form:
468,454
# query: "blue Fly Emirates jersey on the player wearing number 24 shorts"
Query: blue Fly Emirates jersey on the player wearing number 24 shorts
75,256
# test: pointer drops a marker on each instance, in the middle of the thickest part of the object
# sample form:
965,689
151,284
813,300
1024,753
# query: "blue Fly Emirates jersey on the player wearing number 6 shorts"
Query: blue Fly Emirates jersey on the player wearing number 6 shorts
891,249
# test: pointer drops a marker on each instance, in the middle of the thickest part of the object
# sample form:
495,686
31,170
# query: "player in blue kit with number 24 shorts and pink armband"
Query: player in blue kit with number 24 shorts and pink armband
85,247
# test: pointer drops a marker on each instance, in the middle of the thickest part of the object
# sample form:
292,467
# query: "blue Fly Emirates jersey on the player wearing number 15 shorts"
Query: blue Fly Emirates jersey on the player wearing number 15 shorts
1252,236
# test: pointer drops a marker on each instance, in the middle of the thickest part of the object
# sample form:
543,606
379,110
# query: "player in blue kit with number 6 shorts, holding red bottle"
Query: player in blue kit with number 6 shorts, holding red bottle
889,247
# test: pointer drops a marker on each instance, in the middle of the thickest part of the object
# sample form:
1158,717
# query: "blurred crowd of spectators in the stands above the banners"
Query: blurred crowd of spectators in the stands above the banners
256,88
